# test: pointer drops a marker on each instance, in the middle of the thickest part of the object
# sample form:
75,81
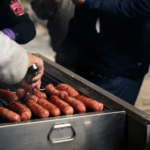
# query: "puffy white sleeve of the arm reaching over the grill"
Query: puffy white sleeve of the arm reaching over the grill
13,60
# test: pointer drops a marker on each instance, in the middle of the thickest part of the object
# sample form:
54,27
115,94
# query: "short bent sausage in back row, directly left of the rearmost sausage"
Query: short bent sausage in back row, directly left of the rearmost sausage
50,89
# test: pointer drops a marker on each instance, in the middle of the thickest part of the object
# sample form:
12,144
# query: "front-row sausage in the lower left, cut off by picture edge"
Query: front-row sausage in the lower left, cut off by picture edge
9,115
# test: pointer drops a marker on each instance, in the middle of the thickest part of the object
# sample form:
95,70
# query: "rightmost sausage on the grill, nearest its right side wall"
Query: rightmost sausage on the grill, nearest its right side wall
90,103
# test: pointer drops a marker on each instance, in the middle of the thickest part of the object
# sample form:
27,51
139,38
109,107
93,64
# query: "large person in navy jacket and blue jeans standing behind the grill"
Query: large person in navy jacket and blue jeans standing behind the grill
116,56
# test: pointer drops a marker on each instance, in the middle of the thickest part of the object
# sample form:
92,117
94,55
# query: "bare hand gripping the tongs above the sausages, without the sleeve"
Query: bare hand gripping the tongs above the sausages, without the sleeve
36,81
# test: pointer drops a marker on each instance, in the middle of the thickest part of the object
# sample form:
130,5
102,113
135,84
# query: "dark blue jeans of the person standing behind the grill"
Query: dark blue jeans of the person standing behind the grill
124,88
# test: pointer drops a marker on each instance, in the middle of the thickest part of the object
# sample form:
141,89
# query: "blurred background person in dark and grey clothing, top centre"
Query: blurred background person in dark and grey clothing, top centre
58,16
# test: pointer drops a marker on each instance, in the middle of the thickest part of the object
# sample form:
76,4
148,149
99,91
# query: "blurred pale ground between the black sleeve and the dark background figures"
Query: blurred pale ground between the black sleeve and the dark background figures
42,42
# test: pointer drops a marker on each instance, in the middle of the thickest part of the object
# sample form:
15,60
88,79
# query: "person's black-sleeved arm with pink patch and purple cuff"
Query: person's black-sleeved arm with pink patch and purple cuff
15,23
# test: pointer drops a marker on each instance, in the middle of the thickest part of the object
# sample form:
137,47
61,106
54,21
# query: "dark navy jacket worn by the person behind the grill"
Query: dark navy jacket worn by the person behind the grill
122,47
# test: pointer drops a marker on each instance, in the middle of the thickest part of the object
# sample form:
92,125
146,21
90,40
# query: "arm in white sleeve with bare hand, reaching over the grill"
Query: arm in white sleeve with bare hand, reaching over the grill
15,61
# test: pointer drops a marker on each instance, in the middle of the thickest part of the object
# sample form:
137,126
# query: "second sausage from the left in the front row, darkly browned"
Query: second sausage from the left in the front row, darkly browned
21,109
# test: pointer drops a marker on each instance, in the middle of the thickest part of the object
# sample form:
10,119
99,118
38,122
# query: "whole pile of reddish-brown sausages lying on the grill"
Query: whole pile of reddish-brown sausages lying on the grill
63,99
